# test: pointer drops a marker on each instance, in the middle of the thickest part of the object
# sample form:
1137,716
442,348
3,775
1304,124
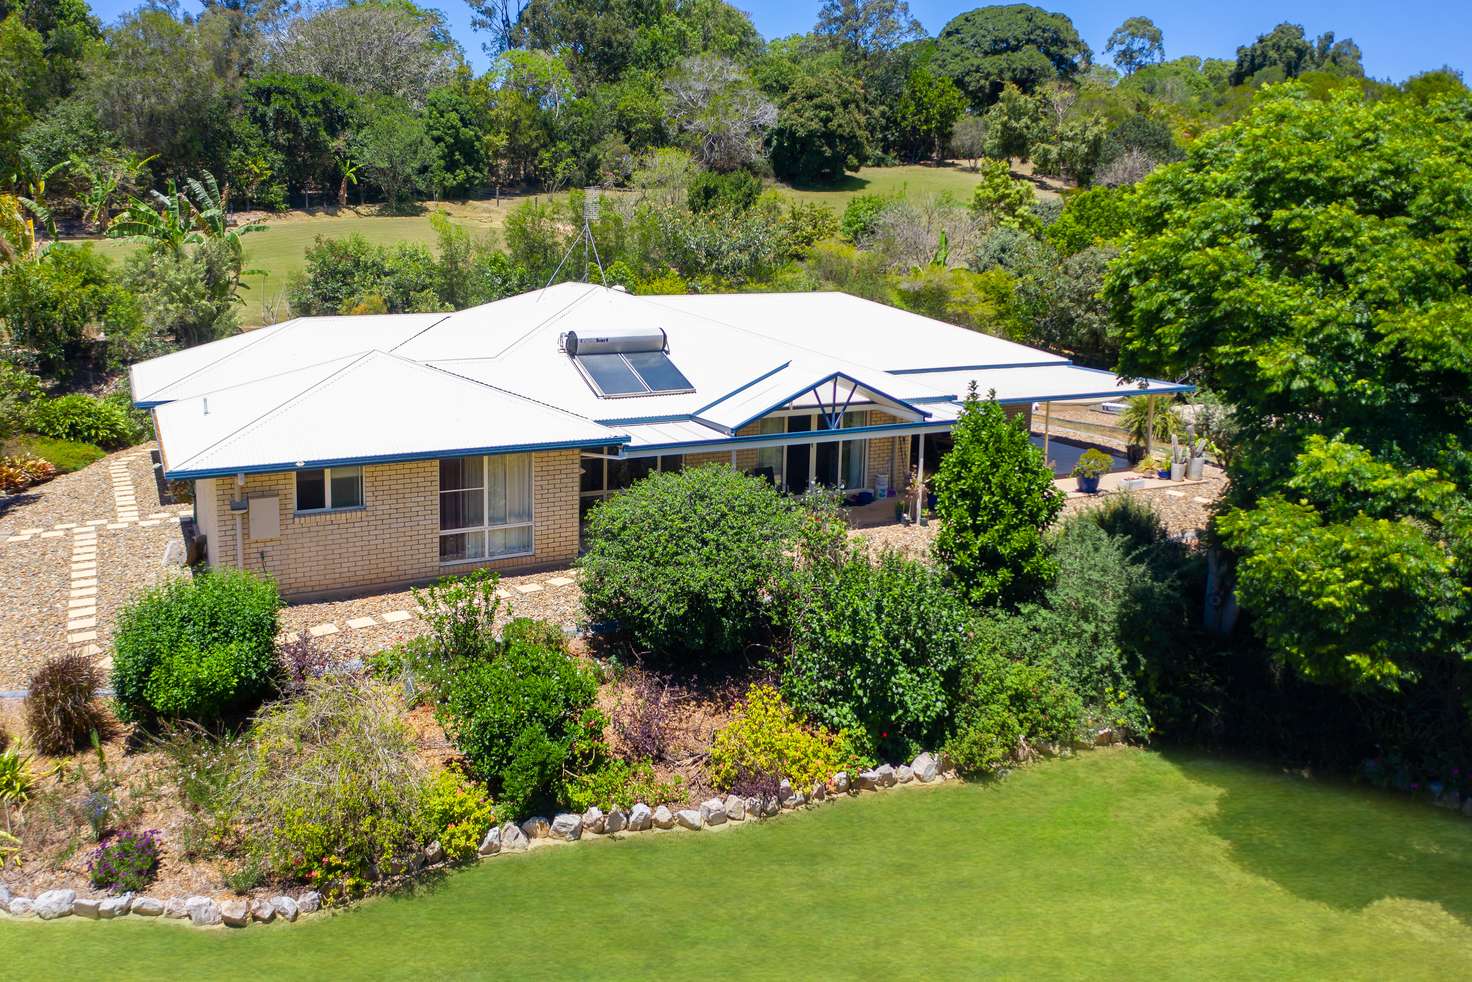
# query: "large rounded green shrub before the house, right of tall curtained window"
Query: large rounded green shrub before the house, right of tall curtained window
710,582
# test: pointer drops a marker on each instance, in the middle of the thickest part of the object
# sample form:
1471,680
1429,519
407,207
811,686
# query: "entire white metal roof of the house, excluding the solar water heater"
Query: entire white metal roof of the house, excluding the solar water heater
495,379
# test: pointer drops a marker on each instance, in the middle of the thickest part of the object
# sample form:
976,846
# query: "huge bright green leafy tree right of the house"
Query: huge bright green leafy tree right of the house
1311,264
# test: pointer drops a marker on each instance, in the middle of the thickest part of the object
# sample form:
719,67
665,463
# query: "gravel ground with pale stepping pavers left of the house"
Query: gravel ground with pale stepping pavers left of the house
38,535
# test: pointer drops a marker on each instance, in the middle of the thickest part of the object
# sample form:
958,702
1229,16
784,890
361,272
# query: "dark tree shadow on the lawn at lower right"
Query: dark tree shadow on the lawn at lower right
1337,844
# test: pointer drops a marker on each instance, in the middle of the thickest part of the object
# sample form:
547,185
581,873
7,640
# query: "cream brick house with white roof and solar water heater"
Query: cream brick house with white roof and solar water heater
342,454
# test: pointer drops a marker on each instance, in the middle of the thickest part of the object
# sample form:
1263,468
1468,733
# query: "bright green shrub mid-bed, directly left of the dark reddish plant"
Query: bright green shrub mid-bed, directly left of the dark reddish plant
516,718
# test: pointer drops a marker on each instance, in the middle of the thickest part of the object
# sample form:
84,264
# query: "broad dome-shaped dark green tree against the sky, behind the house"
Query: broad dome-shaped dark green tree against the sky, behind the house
1016,43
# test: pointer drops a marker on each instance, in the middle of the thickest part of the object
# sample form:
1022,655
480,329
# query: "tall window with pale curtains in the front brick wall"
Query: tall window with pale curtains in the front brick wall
485,507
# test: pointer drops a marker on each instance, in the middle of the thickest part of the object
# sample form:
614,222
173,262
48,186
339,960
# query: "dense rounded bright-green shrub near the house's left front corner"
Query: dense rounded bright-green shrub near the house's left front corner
198,649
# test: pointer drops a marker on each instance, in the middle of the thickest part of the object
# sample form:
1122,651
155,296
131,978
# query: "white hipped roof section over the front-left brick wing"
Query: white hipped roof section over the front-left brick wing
372,409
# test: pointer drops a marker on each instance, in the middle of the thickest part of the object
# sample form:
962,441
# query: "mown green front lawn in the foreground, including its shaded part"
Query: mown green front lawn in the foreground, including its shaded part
1112,865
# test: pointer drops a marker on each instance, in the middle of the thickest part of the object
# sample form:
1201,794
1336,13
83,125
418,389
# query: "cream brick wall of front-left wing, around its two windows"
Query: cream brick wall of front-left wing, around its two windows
394,538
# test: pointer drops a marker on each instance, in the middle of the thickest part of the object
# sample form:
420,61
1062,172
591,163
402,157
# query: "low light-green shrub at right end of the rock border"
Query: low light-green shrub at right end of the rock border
1005,706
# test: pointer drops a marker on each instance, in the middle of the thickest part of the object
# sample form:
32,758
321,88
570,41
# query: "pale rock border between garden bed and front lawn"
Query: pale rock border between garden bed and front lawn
503,840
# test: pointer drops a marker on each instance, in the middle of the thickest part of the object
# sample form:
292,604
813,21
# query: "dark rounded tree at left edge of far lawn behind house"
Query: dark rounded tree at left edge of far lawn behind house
821,132
